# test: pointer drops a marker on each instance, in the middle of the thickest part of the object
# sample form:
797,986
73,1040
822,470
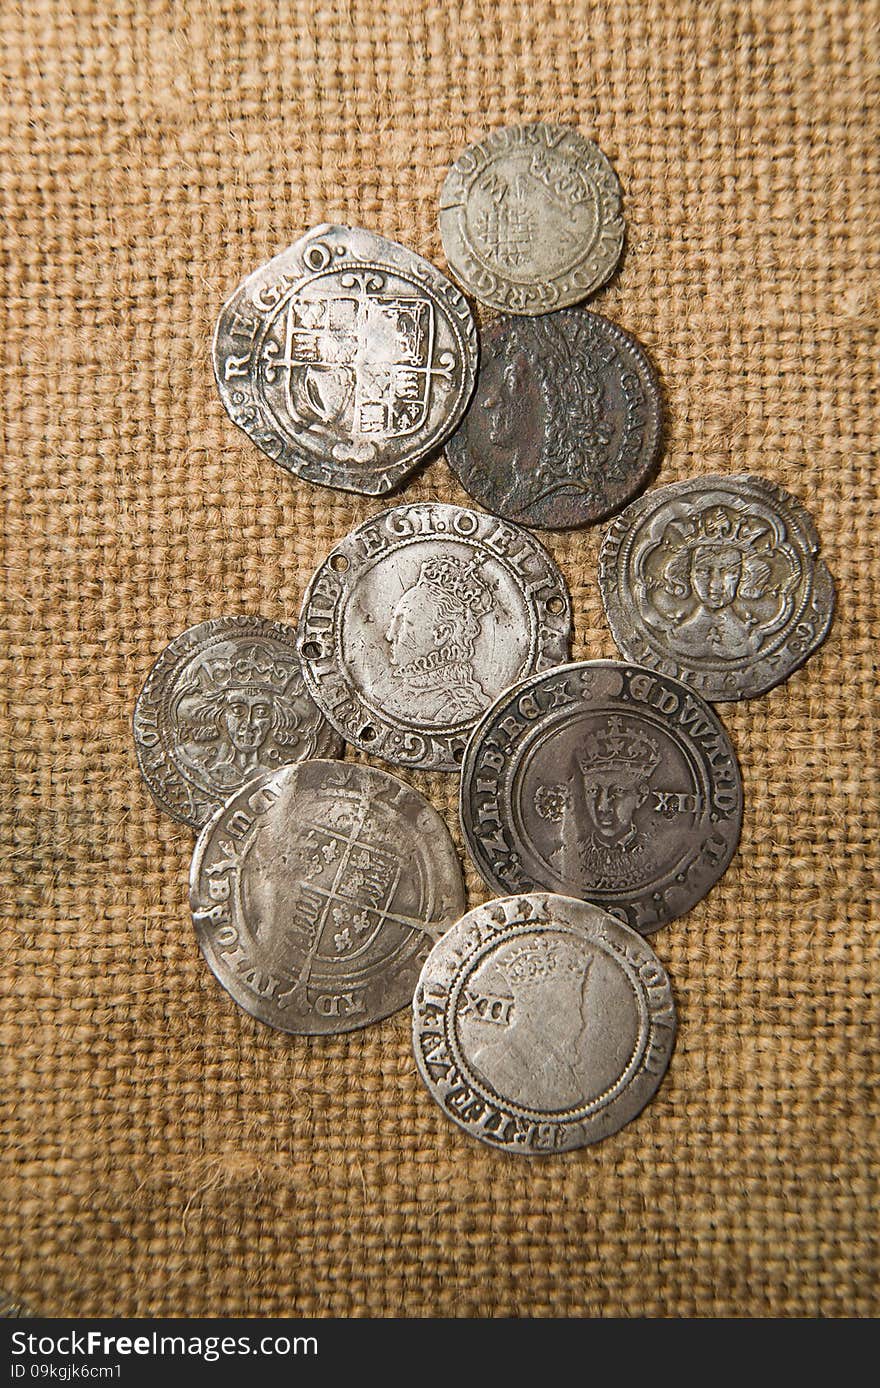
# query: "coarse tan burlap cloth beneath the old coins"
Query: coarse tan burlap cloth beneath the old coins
166,1154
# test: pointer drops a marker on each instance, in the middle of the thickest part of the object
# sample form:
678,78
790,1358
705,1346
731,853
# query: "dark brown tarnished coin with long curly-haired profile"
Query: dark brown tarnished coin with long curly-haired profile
566,421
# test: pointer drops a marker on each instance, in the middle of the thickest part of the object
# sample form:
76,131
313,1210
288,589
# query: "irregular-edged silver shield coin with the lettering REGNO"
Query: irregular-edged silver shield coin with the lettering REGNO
348,359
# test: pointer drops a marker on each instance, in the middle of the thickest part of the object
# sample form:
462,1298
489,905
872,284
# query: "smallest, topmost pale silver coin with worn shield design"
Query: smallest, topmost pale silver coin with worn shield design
531,219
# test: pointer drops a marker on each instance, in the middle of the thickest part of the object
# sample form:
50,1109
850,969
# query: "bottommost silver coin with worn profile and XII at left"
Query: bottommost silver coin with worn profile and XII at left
541,1024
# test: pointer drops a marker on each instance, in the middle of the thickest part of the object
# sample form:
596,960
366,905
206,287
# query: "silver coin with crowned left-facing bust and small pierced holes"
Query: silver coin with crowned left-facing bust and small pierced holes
418,620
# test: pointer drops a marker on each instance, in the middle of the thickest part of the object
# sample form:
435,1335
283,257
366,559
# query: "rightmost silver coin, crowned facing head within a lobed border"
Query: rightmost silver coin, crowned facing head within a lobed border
716,581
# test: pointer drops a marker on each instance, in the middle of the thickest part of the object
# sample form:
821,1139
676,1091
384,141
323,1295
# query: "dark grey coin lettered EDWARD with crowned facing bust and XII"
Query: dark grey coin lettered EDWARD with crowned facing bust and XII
606,782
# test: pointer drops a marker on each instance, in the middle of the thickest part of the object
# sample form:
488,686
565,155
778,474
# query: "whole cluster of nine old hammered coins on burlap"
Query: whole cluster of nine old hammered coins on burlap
602,799
